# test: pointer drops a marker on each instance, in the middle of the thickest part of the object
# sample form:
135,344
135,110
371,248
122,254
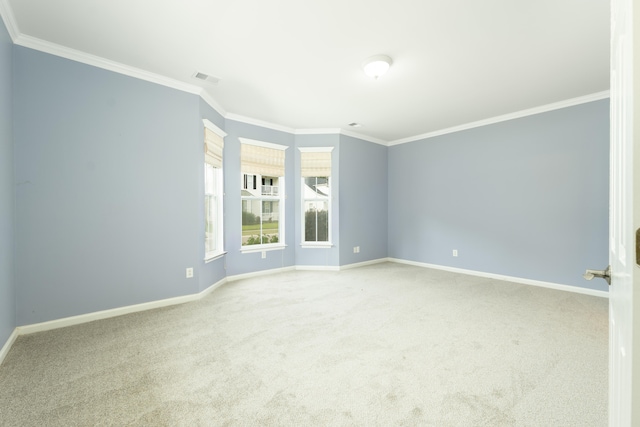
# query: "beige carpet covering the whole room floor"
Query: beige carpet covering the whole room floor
383,345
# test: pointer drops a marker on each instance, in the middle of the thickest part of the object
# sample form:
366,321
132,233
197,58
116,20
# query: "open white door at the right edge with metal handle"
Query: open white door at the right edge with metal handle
621,225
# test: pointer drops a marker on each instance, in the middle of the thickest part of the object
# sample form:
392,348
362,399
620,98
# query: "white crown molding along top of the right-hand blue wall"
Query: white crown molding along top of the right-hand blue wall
516,115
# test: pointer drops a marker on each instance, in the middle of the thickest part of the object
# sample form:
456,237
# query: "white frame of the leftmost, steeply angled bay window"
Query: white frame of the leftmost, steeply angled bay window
218,193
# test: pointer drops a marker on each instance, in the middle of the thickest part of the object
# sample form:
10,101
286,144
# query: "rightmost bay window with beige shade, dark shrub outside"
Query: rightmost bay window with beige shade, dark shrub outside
315,170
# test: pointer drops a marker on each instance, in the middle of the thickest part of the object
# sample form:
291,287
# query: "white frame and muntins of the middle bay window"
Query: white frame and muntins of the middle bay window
280,198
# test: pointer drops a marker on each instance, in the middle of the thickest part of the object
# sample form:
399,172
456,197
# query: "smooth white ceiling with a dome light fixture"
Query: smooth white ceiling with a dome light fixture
297,63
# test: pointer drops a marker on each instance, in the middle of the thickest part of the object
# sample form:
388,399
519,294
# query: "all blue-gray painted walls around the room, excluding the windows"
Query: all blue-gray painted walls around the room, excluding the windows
107,209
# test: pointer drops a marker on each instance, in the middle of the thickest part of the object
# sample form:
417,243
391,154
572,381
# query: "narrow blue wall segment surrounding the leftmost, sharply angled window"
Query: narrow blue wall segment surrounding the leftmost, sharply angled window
211,272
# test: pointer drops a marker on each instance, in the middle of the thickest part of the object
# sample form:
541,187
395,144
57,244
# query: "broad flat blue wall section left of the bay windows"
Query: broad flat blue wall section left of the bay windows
107,202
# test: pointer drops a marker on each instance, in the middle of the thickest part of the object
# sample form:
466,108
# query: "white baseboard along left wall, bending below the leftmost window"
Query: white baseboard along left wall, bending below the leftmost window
105,314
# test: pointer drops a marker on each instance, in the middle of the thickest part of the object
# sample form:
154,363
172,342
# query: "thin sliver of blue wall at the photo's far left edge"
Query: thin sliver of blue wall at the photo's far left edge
7,289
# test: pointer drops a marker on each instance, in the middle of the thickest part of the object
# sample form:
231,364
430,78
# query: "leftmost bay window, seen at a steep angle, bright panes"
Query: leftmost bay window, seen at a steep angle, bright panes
213,147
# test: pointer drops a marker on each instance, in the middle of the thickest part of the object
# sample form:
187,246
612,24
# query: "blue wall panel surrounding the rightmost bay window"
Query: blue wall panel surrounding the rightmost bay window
325,257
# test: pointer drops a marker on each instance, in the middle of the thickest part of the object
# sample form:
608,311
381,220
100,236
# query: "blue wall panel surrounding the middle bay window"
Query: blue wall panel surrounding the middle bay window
243,263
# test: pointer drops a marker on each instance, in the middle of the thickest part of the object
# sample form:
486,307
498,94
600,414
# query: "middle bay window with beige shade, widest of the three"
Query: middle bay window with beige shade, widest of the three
262,193
